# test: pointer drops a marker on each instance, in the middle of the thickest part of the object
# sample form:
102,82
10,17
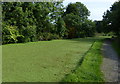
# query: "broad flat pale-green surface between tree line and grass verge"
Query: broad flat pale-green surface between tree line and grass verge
44,61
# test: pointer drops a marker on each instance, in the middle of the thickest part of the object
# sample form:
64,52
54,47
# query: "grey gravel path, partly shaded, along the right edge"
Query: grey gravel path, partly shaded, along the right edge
110,64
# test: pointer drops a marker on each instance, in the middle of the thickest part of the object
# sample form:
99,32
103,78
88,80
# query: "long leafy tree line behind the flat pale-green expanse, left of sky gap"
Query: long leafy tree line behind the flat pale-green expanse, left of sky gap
36,21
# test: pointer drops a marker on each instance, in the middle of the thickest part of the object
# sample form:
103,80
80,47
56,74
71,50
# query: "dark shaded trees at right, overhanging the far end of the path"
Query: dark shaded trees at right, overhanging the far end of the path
111,20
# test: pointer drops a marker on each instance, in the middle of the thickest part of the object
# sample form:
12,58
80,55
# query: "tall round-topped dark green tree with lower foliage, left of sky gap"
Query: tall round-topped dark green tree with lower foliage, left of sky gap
76,20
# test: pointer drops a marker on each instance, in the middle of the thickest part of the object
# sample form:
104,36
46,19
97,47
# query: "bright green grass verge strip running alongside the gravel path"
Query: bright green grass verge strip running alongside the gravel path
89,70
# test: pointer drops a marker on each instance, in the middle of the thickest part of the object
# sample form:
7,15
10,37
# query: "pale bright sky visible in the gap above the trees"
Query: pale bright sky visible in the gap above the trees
96,7
